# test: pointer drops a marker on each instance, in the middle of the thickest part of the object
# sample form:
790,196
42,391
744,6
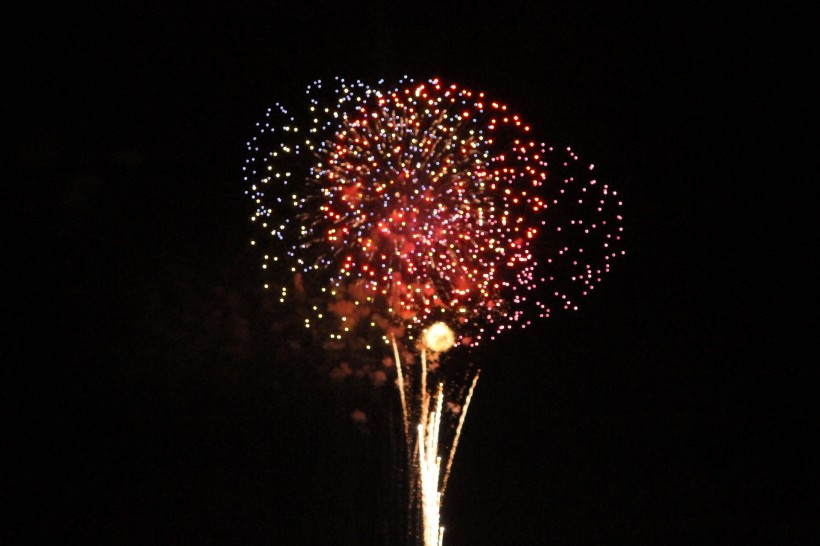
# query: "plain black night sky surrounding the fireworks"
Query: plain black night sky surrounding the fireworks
153,403
